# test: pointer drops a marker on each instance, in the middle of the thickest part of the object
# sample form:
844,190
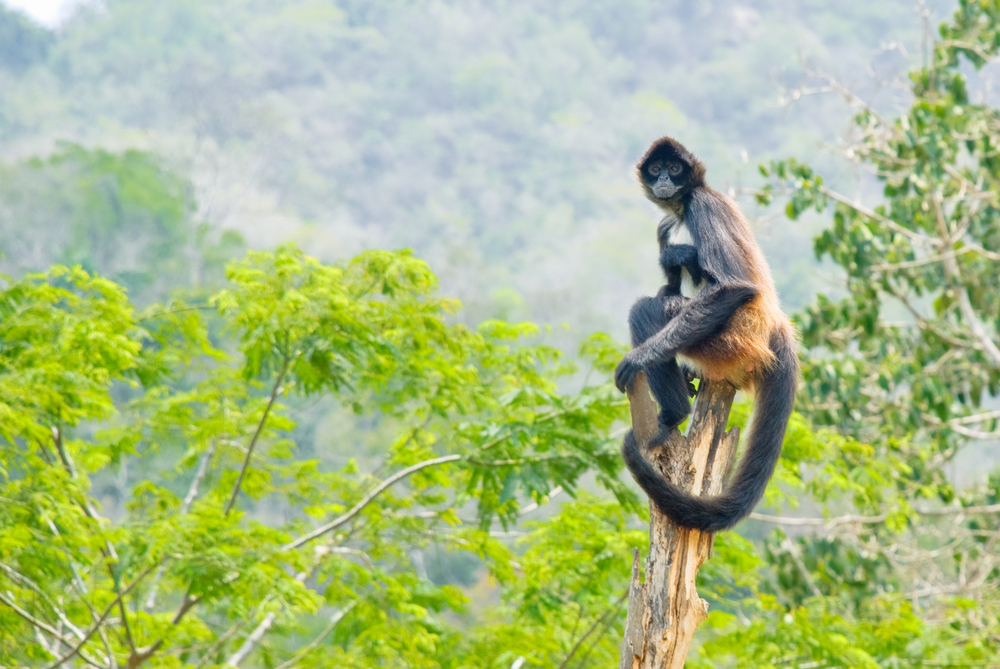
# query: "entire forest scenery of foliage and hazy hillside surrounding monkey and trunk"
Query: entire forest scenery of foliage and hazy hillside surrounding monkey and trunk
241,426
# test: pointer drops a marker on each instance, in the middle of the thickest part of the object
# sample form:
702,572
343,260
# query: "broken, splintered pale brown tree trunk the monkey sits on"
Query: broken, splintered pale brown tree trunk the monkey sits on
664,613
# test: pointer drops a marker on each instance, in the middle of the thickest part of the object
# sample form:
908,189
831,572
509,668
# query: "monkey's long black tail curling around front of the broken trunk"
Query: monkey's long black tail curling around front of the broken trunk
775,395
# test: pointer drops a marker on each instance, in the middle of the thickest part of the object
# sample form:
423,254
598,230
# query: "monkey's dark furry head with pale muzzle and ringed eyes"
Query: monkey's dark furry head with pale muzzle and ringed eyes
669,172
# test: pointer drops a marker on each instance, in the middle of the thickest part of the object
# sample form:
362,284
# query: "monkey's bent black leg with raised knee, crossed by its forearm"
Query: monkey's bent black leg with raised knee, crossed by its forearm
666,379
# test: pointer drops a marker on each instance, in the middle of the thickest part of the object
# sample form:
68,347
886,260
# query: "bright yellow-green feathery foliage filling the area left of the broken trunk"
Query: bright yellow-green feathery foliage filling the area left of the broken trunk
88,386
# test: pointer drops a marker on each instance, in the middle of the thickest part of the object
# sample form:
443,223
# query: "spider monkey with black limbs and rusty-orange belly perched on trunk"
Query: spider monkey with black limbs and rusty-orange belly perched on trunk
730,327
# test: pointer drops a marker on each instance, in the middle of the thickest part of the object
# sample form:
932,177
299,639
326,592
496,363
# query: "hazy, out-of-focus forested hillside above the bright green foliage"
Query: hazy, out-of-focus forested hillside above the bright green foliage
495,139
